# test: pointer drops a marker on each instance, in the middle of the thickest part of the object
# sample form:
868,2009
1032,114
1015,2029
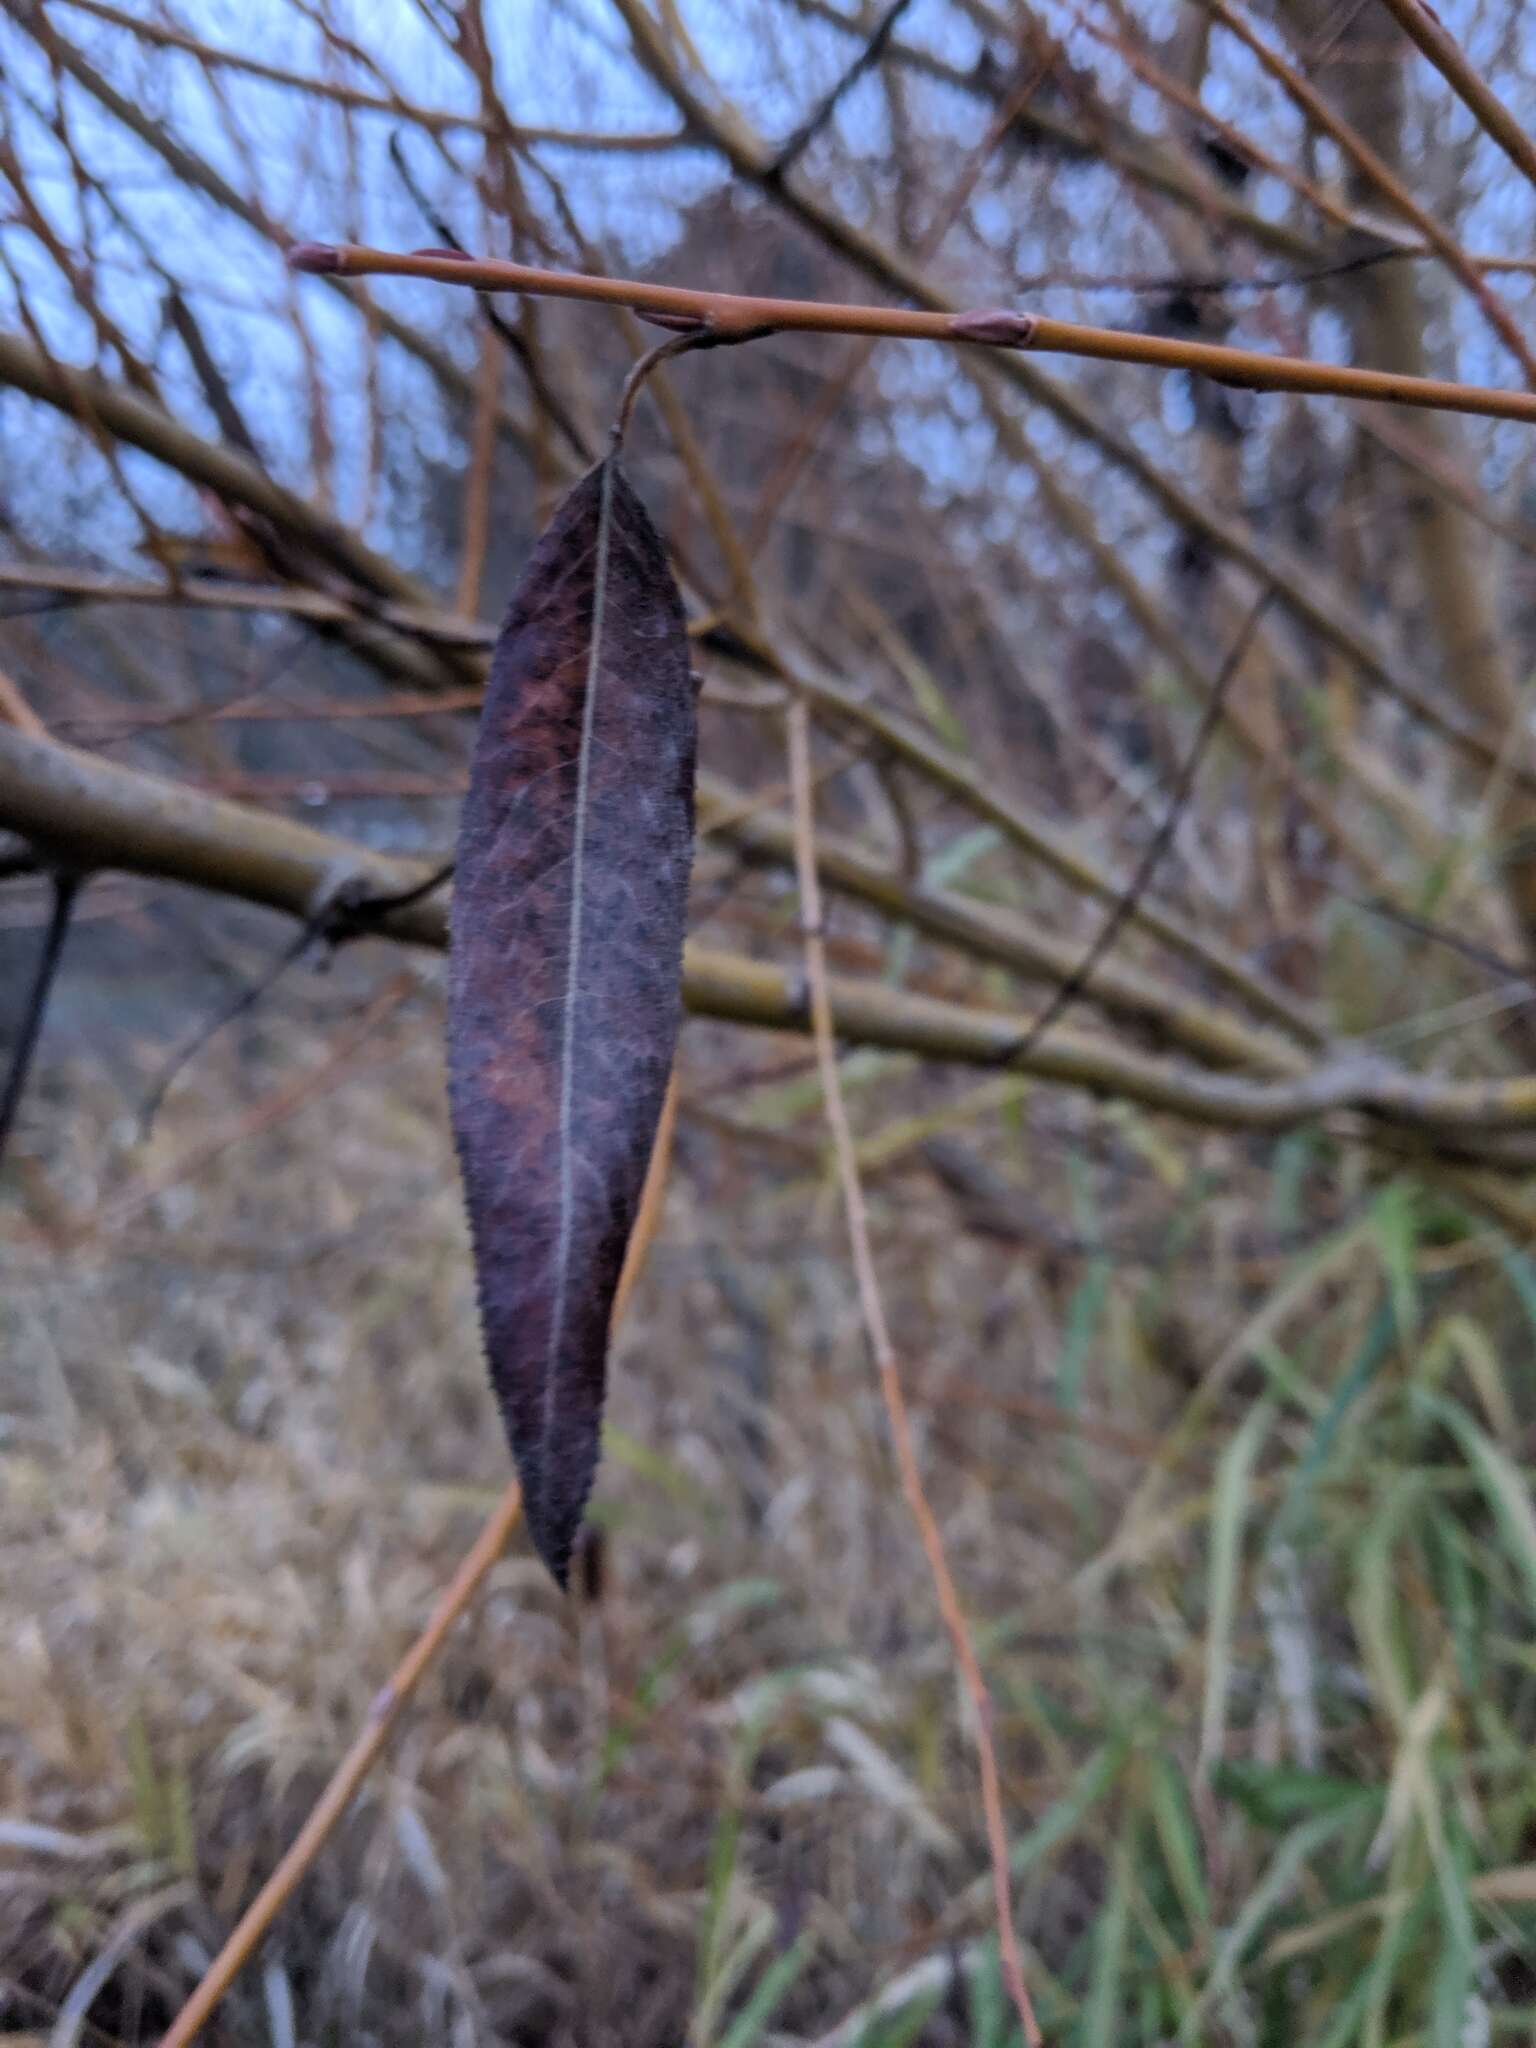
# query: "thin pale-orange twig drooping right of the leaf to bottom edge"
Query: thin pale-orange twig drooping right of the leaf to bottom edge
886,1363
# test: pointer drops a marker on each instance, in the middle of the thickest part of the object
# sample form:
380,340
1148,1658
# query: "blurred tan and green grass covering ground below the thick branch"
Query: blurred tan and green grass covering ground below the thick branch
1261,1660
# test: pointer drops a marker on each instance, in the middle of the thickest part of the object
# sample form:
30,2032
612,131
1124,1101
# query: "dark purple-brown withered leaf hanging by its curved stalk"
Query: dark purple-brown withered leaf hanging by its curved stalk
566,966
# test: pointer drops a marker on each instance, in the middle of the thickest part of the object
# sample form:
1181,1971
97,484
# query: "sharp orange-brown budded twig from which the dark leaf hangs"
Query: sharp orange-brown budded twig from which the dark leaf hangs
732,316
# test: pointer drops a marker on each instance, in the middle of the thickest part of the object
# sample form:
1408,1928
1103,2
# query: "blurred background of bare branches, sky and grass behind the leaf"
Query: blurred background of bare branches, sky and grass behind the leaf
1215,1310
